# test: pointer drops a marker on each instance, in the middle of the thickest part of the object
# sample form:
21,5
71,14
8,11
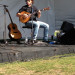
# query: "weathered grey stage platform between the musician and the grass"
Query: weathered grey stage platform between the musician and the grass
25,52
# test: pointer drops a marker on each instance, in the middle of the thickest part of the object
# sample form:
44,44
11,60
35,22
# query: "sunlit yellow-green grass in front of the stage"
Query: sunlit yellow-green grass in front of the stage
56,65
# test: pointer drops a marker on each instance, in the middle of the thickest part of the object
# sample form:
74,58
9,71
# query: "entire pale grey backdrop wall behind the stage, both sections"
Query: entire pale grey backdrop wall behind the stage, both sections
60,10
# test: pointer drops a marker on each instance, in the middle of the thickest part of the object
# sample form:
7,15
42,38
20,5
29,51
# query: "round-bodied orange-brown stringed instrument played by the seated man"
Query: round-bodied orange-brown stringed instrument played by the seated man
24,19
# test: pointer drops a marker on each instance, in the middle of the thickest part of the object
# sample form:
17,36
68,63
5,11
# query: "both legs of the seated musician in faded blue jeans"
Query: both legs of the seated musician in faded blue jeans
38,24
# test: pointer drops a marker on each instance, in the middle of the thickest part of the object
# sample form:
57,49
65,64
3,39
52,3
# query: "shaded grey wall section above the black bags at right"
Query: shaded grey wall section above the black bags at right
64,11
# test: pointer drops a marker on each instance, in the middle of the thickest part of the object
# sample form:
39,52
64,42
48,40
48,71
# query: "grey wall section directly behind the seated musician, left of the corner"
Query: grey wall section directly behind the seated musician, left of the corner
15,5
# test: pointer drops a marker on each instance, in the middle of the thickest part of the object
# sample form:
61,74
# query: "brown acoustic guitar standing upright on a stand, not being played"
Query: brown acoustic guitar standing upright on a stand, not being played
14,33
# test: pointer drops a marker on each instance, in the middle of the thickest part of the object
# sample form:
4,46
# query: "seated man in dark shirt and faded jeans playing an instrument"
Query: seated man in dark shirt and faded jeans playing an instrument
29,7
